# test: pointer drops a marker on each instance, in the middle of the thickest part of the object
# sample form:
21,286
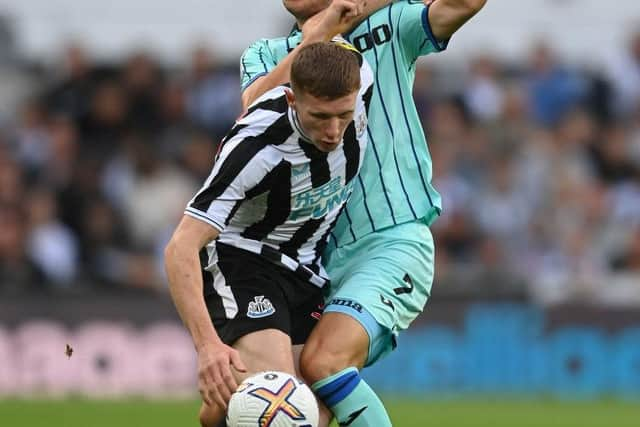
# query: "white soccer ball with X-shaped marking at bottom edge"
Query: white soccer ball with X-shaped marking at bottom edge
272,399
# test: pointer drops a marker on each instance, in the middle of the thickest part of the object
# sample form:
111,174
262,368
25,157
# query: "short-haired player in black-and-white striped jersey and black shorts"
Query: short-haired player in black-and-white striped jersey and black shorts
260,222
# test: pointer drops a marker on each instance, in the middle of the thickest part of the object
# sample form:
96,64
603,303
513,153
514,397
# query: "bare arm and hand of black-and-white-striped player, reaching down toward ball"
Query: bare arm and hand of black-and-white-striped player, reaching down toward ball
215,379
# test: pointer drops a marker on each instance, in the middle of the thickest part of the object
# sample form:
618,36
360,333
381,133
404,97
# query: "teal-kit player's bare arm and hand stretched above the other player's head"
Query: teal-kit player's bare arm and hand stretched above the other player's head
339,17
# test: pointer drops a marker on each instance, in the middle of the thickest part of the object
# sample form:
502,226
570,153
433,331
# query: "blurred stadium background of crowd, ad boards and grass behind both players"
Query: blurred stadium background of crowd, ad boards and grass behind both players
109,118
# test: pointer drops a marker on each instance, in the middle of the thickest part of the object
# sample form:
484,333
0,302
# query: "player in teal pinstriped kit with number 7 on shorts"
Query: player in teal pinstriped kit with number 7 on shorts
381,255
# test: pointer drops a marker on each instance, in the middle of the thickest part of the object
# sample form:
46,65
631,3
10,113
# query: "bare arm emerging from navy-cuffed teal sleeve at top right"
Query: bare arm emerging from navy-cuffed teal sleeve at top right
447,16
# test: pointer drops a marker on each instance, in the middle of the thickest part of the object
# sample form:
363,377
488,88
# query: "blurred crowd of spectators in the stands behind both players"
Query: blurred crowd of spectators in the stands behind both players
538,163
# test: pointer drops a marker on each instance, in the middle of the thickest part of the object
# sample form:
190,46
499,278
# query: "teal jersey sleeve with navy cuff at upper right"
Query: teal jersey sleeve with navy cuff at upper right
414,30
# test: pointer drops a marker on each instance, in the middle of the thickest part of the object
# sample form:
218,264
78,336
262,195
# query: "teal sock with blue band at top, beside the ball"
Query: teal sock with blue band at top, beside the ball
351,400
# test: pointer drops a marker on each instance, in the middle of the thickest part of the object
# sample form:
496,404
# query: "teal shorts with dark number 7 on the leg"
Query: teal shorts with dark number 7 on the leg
383,280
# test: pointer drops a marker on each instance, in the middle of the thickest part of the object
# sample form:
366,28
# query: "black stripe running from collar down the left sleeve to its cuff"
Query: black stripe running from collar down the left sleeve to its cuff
237,160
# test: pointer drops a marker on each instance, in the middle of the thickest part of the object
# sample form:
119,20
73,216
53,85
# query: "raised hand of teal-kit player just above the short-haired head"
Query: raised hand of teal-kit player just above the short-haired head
339,17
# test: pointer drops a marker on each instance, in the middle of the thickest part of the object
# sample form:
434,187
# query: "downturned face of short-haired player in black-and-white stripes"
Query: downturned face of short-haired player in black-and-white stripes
324,120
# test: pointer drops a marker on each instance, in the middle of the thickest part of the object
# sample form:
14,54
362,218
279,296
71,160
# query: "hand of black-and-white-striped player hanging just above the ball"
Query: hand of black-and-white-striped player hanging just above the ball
216,382
